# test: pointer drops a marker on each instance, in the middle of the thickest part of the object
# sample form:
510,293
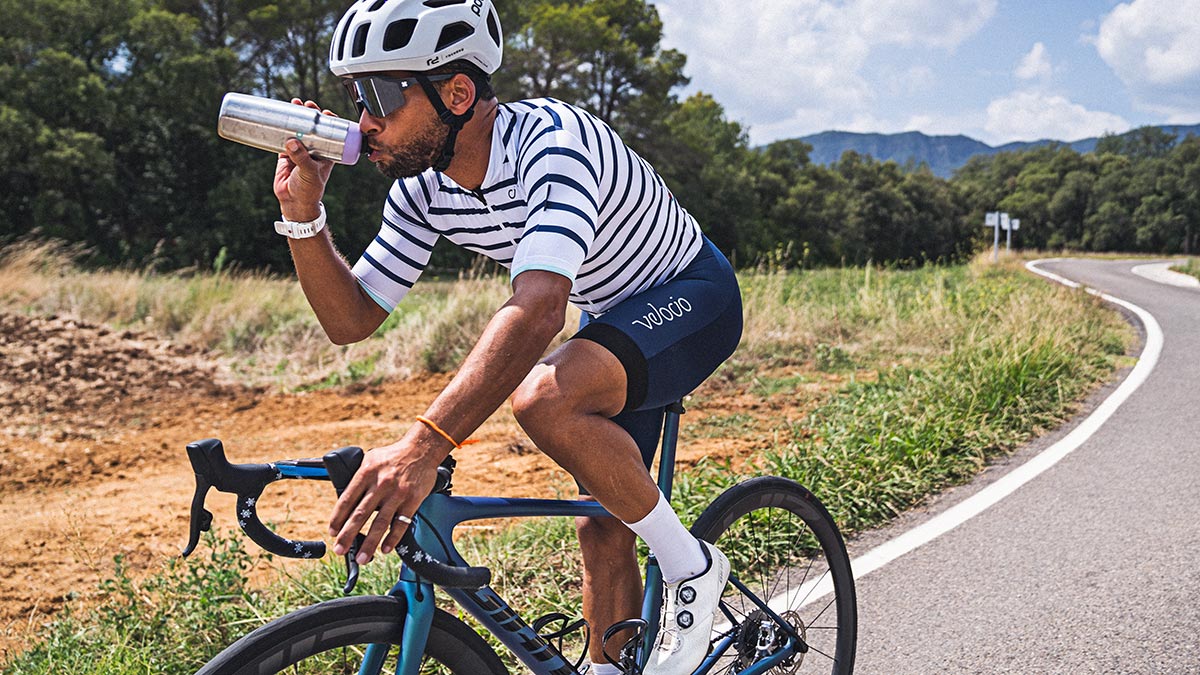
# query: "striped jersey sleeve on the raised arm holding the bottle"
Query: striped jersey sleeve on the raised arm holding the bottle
394,261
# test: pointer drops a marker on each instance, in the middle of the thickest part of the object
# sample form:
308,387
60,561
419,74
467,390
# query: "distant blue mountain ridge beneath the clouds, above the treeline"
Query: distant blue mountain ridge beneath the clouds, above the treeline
944,154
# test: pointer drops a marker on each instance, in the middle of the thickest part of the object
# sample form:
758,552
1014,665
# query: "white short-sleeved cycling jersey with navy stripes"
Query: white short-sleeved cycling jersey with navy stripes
562,194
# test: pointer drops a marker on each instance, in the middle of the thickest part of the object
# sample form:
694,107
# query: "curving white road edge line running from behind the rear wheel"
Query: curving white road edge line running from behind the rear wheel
977,504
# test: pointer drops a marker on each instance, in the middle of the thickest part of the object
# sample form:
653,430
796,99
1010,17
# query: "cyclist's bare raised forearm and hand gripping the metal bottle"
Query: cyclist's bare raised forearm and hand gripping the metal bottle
343,307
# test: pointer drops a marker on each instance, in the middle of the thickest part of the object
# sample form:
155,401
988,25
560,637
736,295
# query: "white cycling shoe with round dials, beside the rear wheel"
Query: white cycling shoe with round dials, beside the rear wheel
688,614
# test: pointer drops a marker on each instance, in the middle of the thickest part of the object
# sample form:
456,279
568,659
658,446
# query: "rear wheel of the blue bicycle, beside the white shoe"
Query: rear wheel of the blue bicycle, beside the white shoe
779,537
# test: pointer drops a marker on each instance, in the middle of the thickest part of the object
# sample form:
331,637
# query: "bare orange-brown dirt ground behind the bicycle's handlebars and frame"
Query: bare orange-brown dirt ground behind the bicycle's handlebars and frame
94,426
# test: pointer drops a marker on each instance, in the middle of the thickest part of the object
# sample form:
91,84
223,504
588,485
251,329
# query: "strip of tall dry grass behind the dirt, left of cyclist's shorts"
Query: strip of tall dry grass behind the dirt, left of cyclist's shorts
260,326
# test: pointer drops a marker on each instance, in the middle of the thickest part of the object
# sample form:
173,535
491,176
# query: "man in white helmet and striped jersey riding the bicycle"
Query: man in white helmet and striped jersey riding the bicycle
551,193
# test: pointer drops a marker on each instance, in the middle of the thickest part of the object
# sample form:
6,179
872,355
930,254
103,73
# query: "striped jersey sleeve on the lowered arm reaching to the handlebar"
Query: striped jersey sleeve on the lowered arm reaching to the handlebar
561,178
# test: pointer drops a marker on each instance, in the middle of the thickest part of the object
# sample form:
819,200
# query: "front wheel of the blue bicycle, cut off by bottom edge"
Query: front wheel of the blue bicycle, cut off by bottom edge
305,642
